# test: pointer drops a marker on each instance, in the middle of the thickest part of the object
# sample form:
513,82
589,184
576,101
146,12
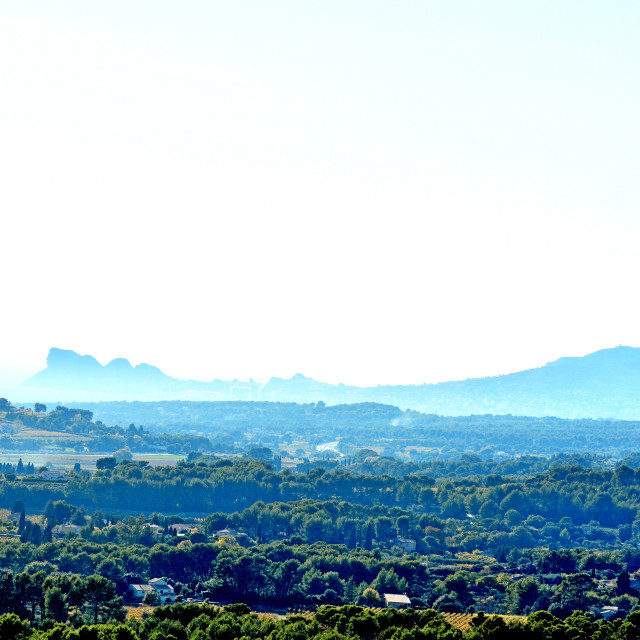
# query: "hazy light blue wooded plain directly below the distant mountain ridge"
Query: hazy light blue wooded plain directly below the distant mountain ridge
296,433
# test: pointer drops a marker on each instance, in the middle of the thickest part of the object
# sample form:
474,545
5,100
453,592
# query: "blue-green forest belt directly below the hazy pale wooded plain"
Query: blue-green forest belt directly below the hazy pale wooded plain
606,496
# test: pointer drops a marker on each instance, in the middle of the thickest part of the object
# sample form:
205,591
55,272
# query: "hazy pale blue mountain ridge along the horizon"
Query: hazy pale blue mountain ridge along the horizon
604,384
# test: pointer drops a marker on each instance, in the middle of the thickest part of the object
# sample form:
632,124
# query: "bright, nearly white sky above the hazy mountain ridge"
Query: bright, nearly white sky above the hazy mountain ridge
362,191
